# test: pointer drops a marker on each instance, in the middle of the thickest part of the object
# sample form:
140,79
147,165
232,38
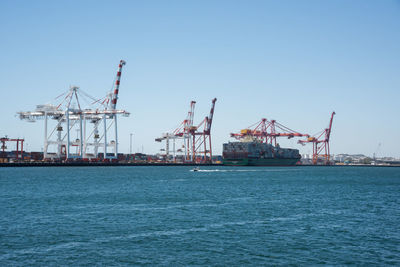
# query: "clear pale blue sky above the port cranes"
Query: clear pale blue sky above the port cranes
293,61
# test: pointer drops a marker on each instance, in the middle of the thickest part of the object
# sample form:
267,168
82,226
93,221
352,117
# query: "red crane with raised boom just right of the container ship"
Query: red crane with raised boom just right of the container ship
320,144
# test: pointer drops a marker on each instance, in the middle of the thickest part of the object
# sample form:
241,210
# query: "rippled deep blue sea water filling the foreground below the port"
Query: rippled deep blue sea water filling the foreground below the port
218,216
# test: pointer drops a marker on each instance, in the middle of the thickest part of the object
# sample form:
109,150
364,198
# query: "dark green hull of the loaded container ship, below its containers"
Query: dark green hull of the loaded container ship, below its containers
261,162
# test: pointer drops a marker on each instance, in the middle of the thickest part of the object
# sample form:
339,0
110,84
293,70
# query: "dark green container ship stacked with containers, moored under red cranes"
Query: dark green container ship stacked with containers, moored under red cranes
254,153
